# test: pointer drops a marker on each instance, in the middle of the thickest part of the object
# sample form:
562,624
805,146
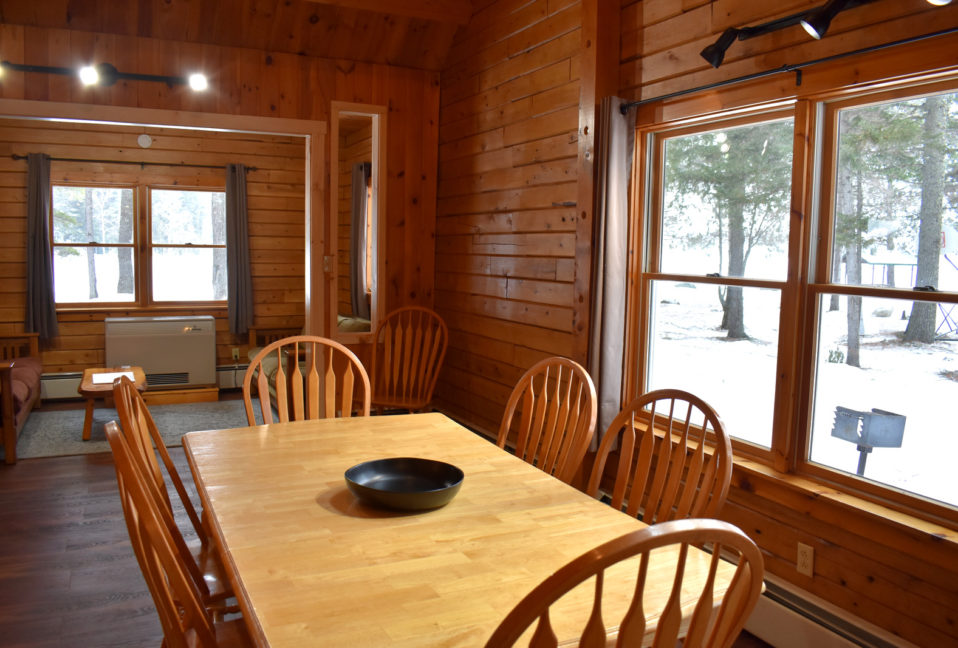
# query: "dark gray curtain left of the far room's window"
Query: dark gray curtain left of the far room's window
41,316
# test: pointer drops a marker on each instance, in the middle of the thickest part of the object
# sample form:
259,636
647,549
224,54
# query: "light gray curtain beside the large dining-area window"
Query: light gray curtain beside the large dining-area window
615,137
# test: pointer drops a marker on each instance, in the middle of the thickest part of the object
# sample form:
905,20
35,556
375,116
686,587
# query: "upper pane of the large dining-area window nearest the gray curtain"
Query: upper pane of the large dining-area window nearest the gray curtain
727,201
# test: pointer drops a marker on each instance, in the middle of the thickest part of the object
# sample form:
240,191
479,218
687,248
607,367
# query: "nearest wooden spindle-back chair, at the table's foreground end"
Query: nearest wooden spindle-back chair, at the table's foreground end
717,613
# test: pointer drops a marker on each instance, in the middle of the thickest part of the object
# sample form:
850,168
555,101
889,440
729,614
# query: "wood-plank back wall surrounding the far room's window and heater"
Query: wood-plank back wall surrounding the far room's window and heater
275,200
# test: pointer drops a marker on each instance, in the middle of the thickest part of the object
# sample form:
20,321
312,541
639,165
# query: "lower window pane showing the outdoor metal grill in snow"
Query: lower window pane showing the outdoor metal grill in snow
870,382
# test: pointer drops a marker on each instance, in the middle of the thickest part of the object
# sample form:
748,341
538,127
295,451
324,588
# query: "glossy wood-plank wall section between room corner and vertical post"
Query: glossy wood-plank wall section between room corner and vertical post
506,215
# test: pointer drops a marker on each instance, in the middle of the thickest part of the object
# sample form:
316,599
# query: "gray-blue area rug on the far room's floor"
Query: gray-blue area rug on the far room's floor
57,433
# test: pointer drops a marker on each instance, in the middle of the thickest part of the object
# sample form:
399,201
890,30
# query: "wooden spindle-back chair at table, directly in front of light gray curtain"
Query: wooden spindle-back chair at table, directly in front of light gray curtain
557,407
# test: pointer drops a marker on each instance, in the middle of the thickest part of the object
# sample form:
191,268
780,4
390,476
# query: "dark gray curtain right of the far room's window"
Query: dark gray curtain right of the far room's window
239,290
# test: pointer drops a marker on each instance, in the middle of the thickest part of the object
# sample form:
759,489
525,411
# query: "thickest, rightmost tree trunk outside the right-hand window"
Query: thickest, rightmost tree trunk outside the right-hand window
921,323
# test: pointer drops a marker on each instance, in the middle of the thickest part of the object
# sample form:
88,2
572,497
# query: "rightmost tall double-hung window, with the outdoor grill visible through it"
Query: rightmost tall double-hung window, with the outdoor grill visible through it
886,364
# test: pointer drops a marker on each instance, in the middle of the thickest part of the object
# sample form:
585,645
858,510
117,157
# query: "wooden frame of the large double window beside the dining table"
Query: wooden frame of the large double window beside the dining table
808,278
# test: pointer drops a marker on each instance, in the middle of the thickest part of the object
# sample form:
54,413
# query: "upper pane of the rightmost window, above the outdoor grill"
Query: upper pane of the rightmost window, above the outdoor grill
896,213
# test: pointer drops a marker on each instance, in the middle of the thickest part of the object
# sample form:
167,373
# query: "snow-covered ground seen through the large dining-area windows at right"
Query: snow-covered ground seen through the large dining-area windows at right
738,379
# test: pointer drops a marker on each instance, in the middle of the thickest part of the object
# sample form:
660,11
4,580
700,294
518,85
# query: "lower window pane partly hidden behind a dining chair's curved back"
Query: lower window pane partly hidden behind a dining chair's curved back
690,350
